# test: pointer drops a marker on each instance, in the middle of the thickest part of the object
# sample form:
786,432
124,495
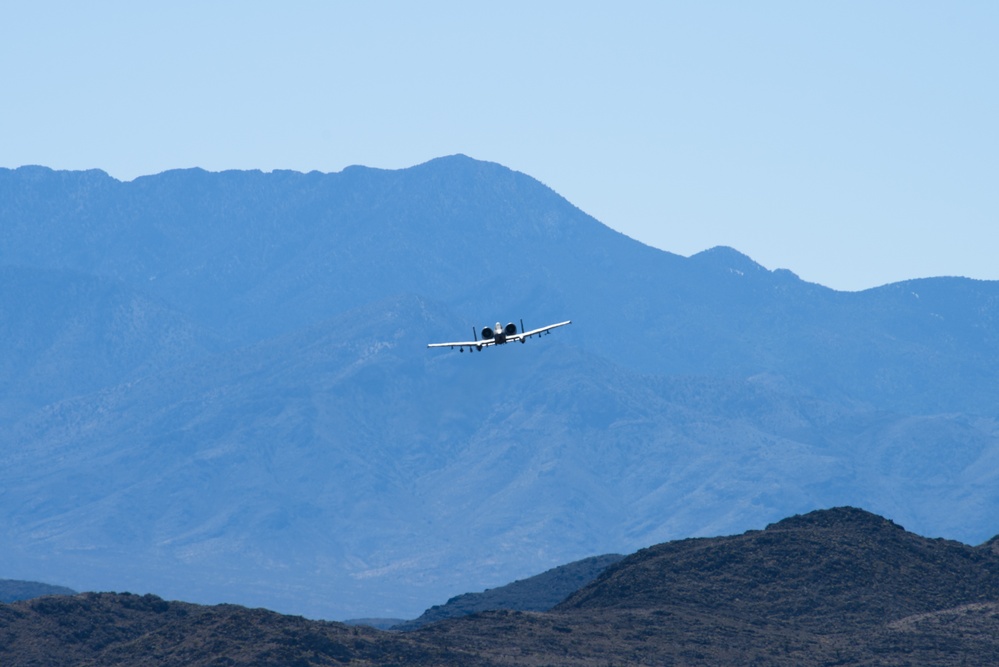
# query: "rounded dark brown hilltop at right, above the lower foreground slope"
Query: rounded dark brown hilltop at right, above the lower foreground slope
831,568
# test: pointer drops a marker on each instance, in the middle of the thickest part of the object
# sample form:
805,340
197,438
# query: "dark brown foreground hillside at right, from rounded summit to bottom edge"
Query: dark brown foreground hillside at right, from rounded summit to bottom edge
838,586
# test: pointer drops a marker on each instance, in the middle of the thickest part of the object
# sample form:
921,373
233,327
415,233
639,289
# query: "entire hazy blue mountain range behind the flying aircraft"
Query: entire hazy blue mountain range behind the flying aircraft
217,388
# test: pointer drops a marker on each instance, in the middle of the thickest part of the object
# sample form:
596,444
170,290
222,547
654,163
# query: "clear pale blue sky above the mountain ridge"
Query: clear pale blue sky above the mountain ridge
855,143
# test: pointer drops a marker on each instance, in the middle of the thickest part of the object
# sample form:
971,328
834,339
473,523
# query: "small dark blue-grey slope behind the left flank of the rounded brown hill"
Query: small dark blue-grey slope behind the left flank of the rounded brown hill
538,593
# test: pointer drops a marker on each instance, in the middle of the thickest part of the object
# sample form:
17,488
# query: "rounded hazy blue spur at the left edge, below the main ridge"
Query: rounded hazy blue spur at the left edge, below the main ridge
65,334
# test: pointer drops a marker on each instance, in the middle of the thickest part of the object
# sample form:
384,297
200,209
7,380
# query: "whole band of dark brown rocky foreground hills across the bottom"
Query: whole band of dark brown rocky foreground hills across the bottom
839,586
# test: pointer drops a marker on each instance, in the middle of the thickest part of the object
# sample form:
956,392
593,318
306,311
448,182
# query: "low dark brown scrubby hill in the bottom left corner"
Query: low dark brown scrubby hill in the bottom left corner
122,629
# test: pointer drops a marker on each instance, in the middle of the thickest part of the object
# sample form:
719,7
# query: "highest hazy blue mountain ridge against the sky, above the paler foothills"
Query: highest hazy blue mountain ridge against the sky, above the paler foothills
250,255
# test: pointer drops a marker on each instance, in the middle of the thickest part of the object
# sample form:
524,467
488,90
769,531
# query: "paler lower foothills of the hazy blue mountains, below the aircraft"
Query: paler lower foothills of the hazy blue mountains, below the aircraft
344,467
